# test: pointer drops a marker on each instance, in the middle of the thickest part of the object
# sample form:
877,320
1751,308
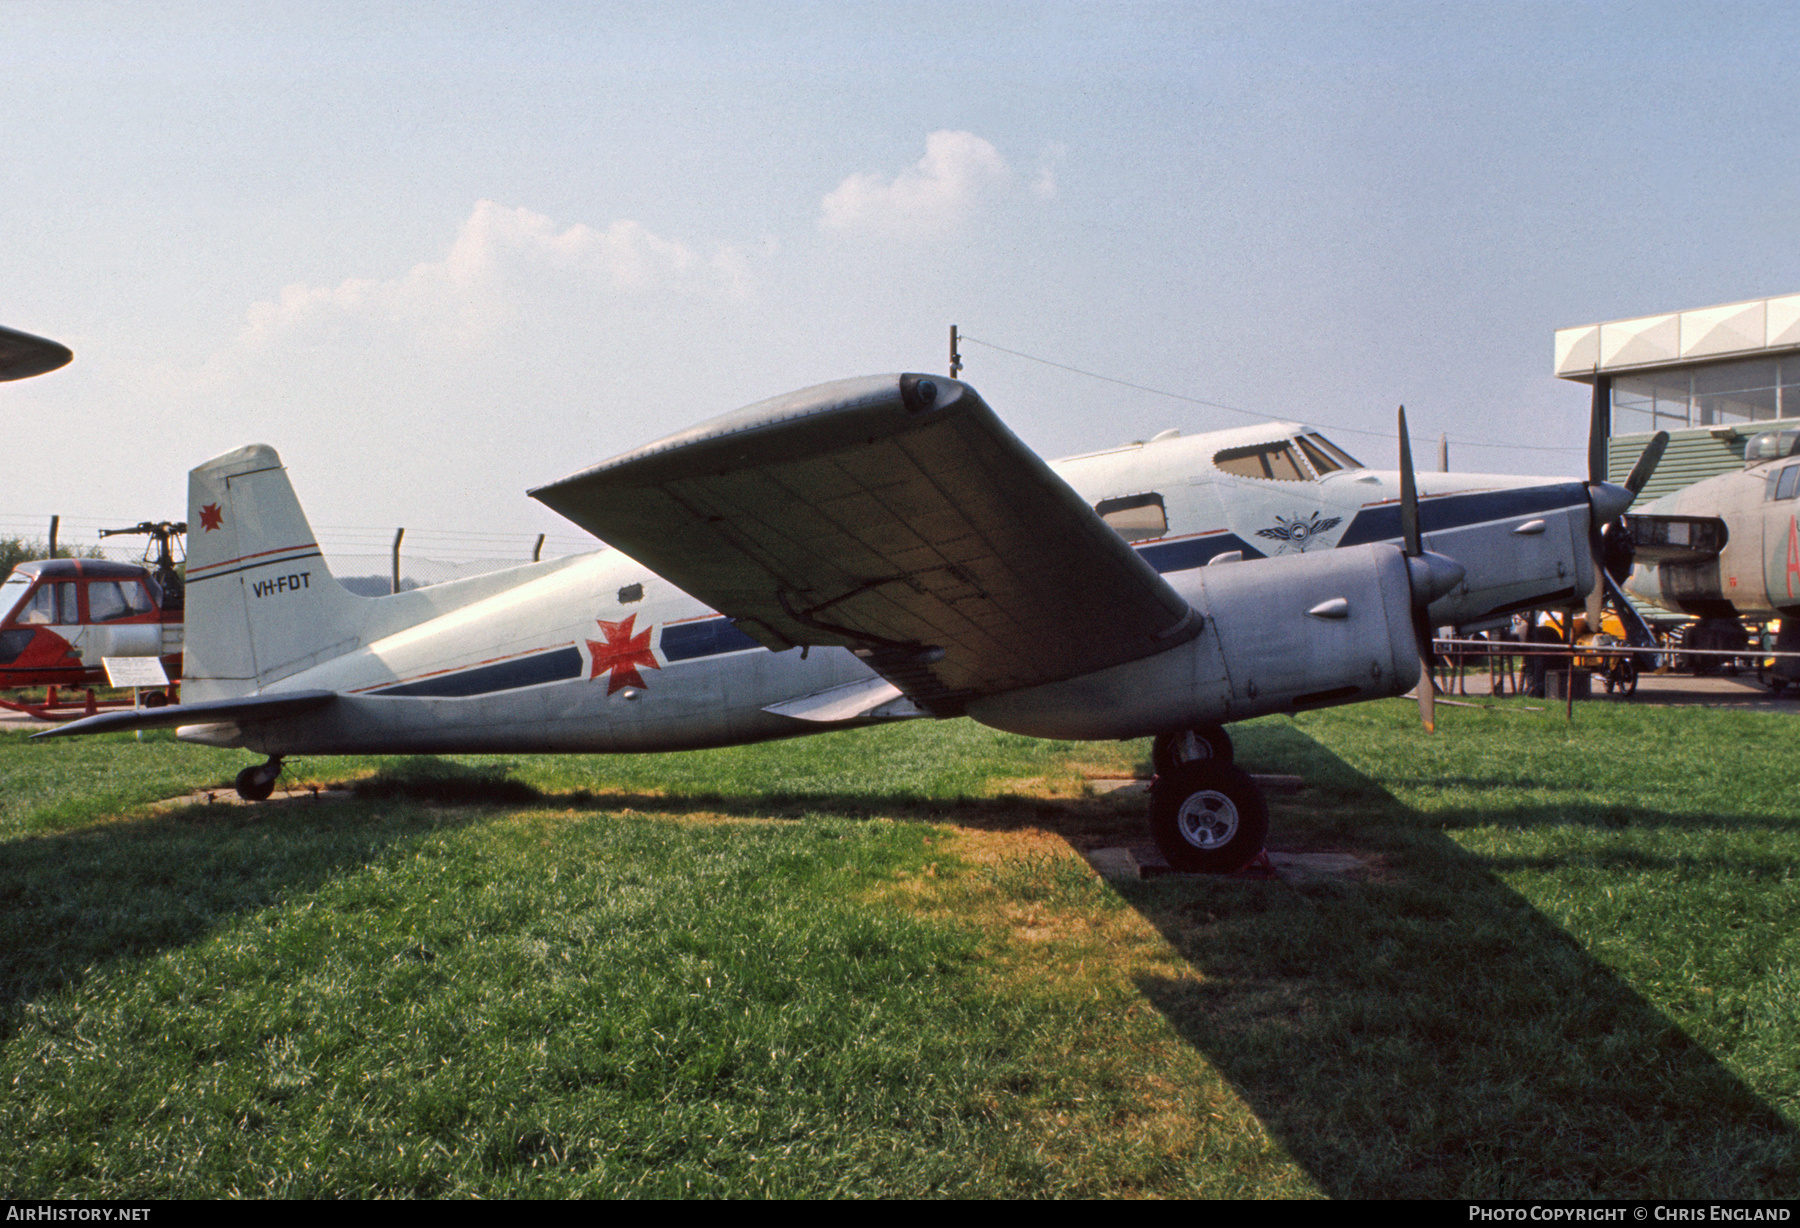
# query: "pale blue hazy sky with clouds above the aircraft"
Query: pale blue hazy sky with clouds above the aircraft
442,253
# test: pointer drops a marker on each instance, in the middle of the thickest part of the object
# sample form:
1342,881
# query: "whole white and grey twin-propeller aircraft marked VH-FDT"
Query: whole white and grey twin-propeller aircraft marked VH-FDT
861,552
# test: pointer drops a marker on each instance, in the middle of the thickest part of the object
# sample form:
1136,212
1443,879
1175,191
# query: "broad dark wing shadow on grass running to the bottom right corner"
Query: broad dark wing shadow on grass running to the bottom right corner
1428,1033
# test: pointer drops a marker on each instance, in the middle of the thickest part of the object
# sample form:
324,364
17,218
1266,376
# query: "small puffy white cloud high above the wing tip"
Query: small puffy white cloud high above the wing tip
930,197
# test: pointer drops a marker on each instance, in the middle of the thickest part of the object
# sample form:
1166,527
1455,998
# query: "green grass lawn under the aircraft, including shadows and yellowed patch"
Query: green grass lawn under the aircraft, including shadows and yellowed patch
876,964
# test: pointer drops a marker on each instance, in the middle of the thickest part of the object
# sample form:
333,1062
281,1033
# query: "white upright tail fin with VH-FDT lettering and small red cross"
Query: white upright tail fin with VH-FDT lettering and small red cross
262,604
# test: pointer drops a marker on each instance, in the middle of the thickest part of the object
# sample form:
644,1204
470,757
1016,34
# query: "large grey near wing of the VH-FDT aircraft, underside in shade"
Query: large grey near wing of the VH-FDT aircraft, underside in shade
892,516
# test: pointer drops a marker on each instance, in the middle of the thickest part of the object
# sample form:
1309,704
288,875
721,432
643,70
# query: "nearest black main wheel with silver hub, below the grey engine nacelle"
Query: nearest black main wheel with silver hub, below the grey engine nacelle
1209,818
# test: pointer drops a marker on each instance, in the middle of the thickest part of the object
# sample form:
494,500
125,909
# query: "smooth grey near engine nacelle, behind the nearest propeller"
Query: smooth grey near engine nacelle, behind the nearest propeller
1282,635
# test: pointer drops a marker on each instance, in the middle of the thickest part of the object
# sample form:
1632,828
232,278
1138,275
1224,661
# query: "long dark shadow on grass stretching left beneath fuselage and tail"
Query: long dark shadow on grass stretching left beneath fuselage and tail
82,901
